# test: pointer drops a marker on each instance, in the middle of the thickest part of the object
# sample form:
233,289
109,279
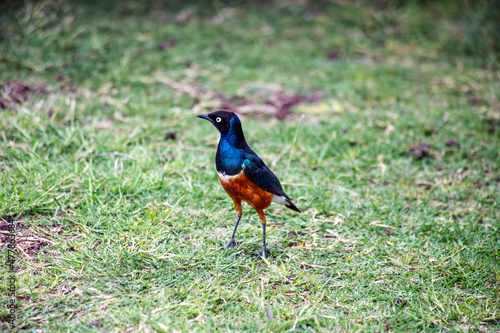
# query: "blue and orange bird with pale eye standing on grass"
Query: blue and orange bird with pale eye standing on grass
243,174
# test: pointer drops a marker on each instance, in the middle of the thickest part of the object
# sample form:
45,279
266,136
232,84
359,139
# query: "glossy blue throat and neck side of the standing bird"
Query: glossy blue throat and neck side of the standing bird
231,149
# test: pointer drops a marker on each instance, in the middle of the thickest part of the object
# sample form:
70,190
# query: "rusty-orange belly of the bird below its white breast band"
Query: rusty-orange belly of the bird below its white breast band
240,187
